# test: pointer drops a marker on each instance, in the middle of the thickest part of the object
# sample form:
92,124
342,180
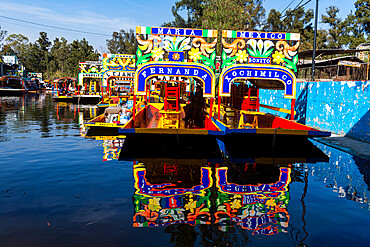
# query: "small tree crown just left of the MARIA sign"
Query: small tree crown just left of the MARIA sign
122,42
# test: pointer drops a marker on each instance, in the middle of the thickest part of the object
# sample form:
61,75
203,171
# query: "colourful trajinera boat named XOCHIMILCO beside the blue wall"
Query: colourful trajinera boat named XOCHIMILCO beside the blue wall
252,64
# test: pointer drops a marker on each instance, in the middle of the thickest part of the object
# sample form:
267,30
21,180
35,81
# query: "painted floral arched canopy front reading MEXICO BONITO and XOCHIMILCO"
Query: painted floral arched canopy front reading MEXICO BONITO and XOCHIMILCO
266,59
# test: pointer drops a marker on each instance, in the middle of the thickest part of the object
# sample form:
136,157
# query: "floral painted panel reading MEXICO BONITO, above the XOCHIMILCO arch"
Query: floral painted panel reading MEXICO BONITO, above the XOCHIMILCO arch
241,47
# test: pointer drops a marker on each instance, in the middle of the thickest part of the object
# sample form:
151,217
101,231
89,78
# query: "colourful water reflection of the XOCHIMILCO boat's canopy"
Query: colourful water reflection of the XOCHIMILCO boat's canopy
254,197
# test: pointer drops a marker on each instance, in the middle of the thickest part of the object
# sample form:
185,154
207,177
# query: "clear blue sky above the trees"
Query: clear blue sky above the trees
96,20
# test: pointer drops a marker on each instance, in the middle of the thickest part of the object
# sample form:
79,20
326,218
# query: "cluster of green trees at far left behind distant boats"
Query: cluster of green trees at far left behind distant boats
54,59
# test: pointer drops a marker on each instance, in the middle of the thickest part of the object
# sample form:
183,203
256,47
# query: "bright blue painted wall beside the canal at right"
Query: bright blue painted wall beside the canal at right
342,107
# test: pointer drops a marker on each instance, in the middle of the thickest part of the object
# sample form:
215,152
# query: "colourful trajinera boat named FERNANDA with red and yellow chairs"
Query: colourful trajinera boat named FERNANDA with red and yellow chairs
169,71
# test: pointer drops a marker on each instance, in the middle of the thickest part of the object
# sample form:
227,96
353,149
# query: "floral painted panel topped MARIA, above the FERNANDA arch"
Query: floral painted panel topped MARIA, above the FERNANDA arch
176,44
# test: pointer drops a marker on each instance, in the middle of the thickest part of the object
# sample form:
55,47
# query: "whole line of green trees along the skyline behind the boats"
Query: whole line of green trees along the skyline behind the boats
60,58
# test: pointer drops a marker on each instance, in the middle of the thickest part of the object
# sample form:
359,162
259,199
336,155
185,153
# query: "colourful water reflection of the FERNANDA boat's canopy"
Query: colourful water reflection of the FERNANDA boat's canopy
171,192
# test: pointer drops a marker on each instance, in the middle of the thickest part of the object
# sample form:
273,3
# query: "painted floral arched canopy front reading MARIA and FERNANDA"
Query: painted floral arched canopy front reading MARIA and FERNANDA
176,52
